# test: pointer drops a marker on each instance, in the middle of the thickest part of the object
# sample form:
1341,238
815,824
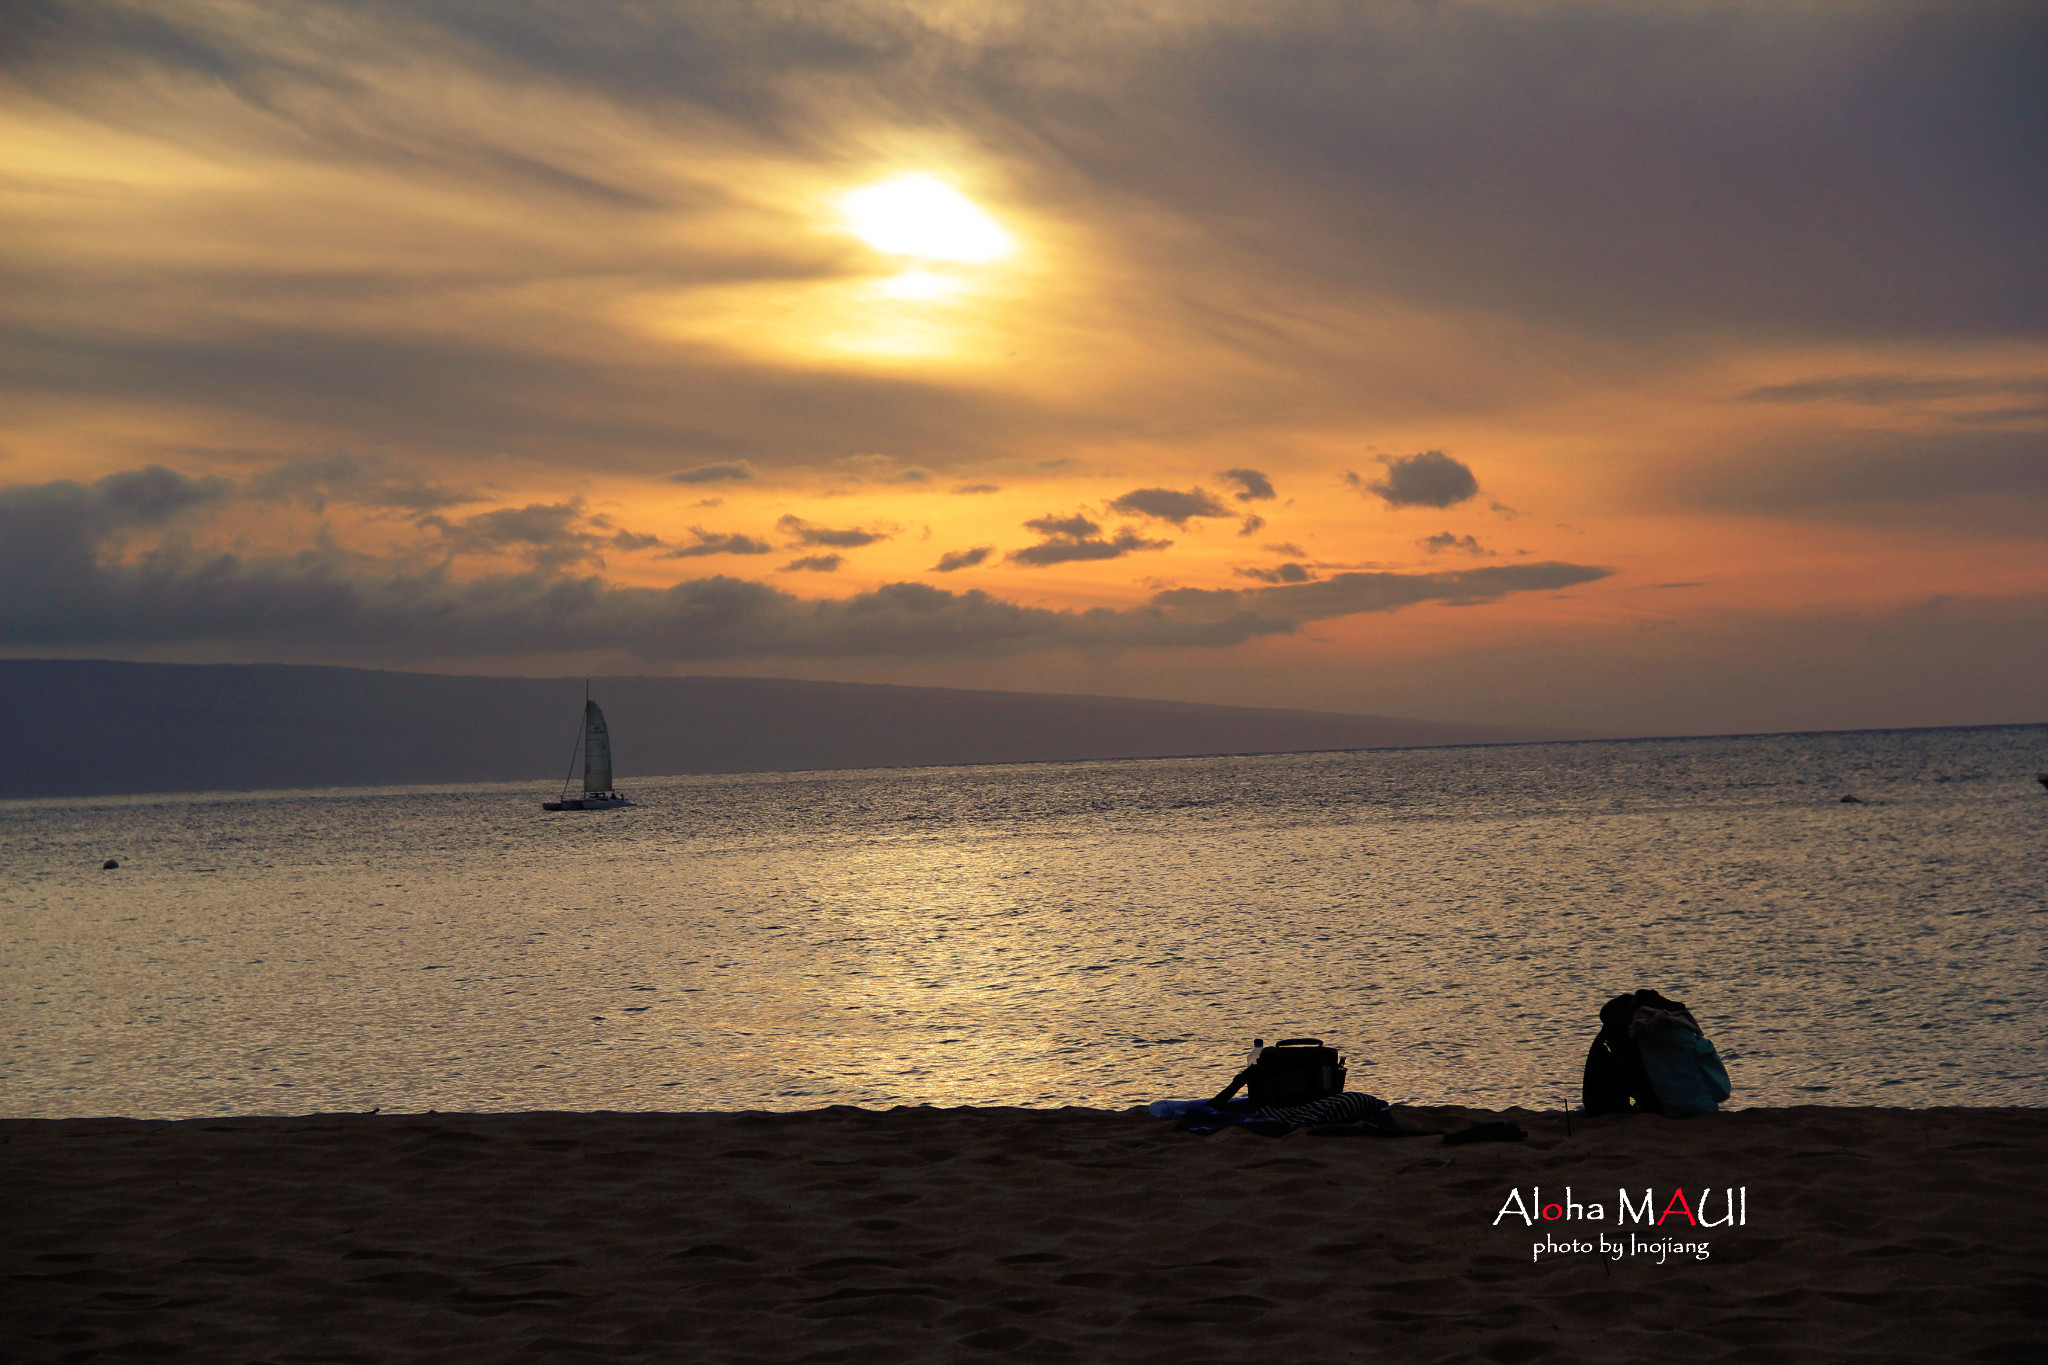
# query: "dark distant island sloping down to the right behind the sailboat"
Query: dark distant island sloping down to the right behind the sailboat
93,728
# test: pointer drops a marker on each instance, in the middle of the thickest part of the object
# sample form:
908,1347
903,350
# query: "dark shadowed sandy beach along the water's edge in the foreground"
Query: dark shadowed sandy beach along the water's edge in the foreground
959,1235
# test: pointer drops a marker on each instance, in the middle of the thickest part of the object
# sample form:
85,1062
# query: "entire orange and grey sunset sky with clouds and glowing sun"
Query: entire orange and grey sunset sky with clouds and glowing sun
1627,367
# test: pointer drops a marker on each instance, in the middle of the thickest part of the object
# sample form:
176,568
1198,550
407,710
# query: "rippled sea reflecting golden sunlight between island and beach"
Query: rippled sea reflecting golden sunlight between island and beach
1097,934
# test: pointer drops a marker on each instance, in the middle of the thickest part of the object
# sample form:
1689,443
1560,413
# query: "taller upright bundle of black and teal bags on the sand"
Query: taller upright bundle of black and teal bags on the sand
1652,1057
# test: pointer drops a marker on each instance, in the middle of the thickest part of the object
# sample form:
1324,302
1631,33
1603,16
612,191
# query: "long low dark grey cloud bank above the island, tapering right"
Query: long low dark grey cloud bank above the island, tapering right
65,584
